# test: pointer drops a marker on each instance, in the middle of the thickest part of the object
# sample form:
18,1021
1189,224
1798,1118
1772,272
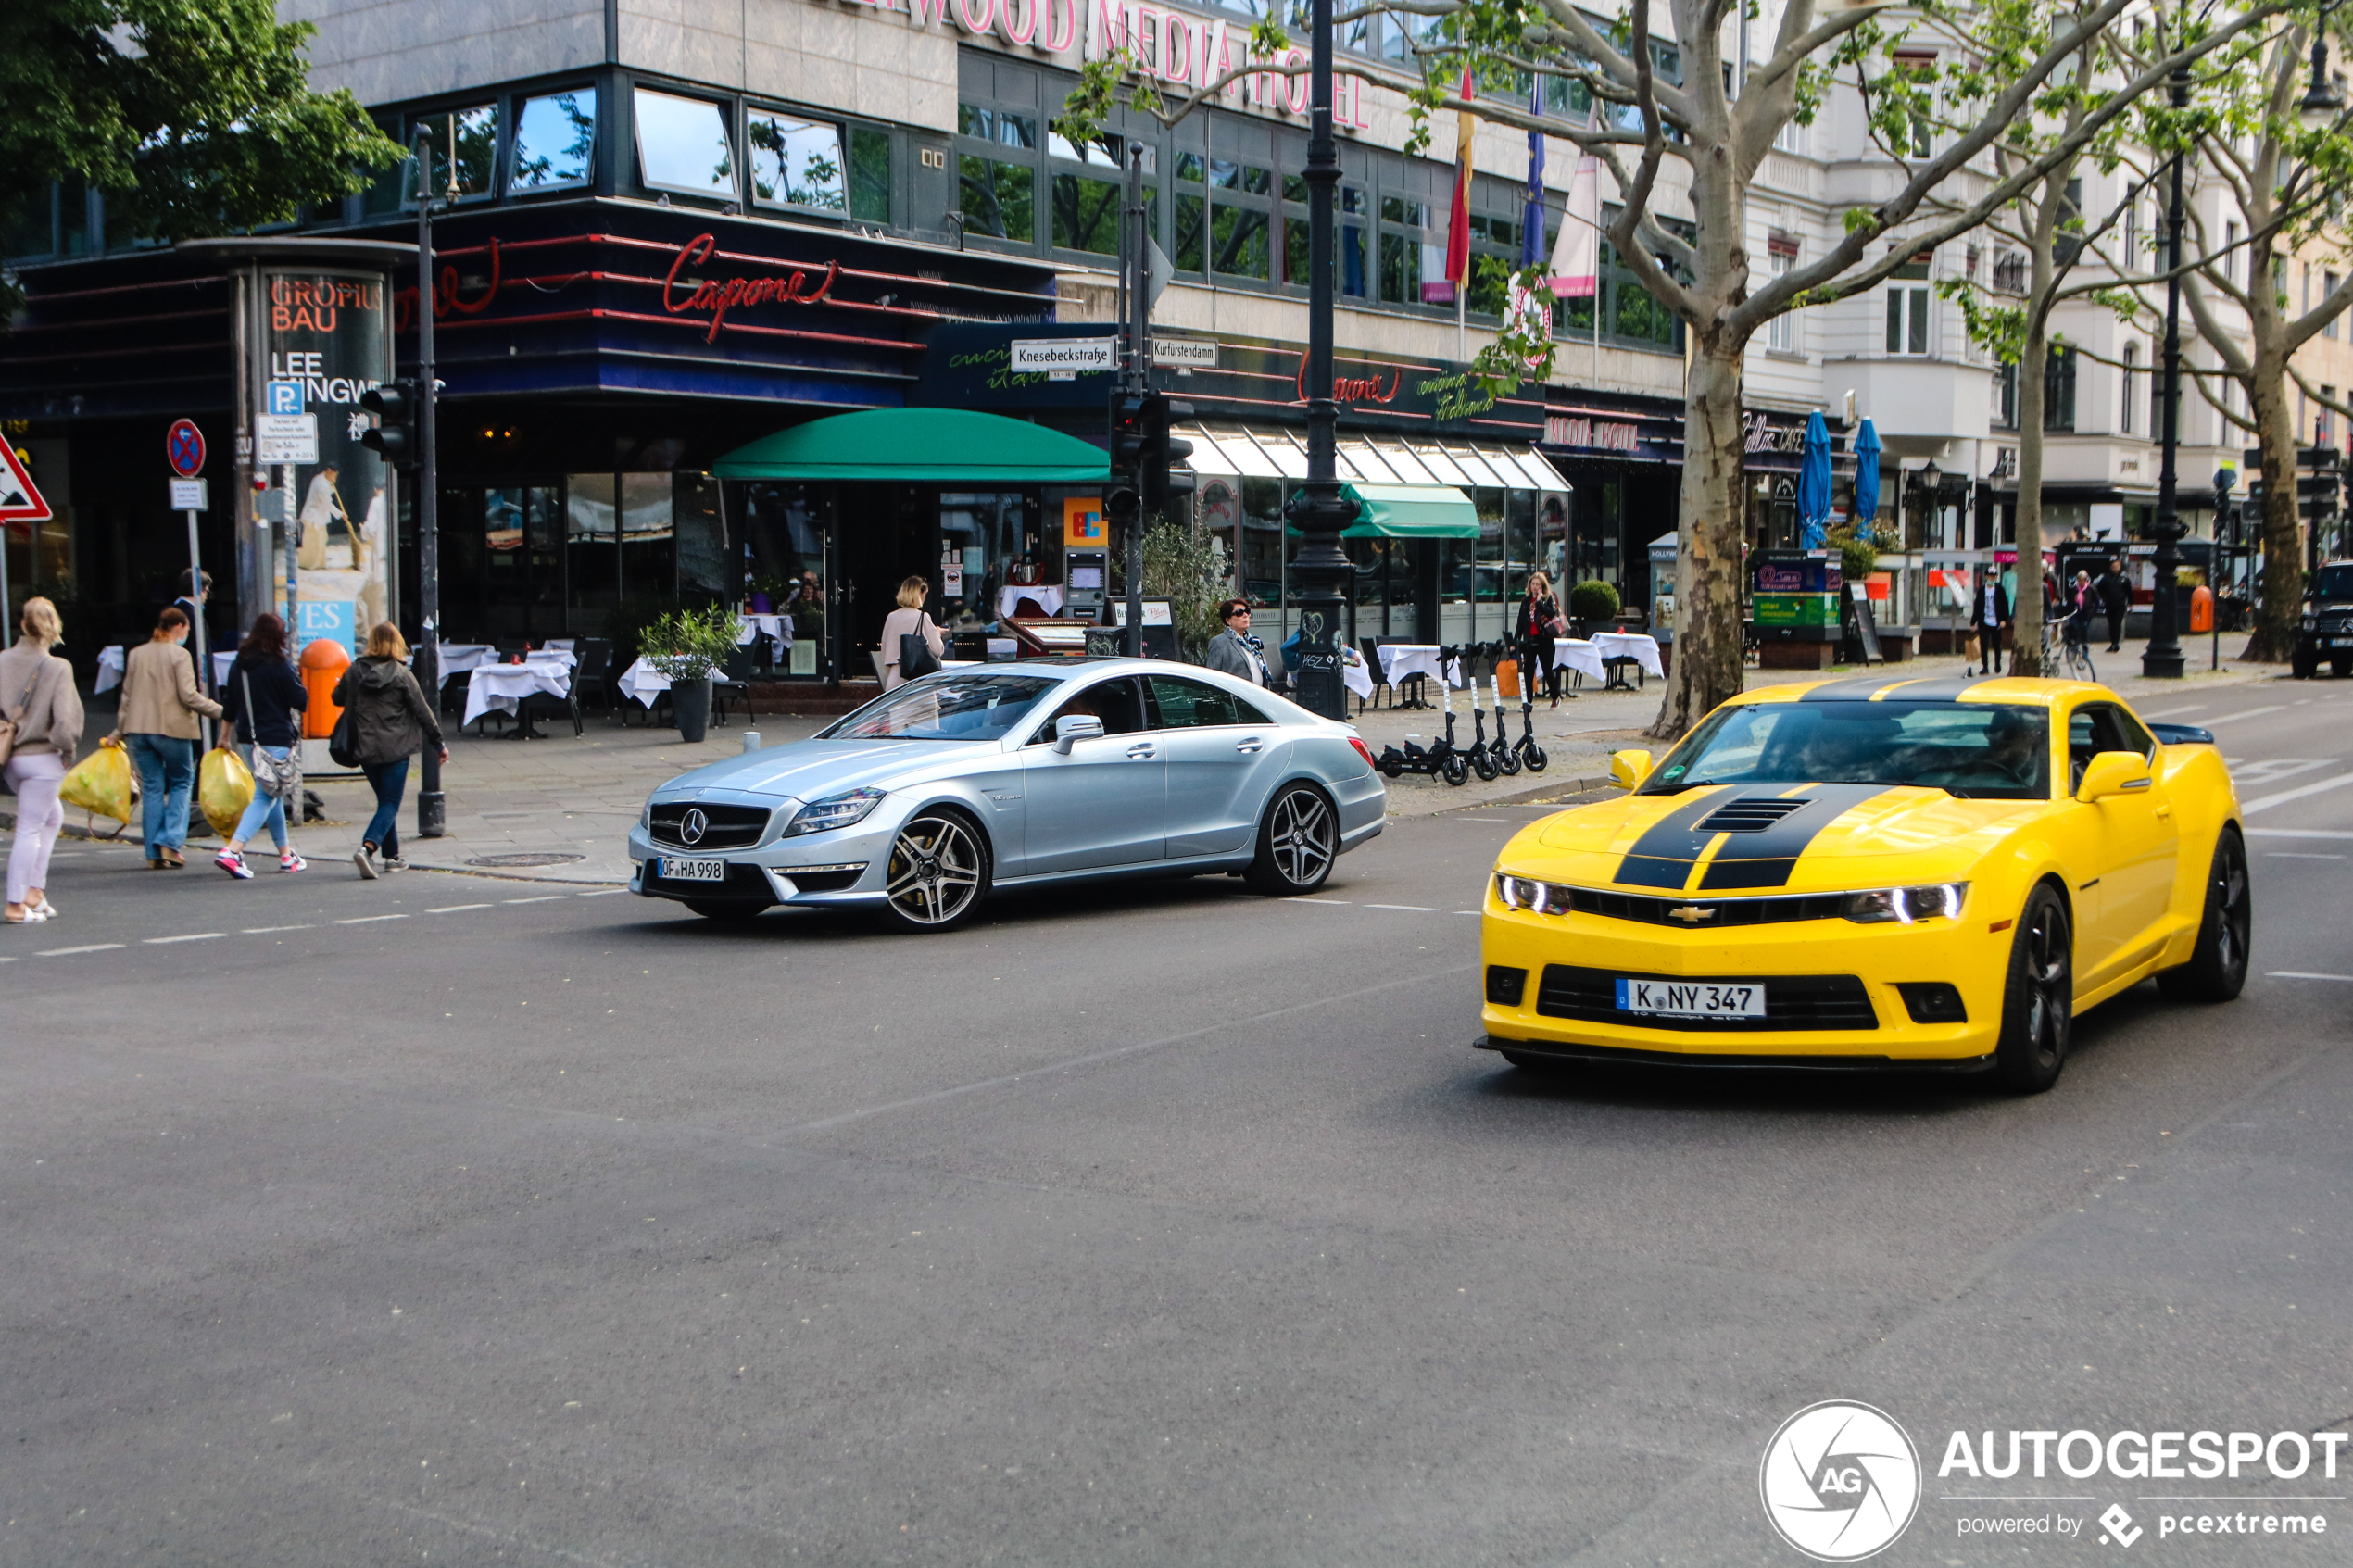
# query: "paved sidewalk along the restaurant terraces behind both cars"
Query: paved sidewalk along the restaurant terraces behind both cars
559,810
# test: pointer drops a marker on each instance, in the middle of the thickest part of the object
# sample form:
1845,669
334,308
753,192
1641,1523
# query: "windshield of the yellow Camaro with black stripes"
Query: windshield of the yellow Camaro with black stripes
1975,751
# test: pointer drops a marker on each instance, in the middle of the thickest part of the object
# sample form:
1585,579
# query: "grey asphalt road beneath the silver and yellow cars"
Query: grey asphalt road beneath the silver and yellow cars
476,1221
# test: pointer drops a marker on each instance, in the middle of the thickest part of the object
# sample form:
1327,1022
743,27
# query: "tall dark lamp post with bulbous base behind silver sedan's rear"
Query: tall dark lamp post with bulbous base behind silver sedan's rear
1319,507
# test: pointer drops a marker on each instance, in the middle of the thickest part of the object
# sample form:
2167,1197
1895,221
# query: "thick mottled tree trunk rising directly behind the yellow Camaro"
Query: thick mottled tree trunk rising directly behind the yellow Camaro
1709,547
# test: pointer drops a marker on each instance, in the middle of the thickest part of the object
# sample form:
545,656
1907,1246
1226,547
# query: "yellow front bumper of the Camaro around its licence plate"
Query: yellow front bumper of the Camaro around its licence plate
1839,977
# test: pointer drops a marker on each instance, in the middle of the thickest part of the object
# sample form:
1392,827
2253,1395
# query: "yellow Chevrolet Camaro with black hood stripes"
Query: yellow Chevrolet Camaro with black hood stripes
1874,873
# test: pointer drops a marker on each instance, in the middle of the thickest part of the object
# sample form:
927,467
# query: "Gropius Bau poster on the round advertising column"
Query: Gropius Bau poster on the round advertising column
326,342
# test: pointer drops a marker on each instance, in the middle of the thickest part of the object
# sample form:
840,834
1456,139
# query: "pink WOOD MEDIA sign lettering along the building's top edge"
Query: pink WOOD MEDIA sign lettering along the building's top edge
1178,48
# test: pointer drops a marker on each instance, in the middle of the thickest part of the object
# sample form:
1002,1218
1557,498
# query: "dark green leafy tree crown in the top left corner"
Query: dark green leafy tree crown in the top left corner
192,116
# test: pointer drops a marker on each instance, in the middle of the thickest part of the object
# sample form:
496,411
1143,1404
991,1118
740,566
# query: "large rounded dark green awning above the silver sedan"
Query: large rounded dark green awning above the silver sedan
914,445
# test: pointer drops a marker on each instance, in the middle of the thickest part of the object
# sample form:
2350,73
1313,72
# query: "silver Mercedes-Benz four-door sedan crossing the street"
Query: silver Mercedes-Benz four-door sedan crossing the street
1020,775
